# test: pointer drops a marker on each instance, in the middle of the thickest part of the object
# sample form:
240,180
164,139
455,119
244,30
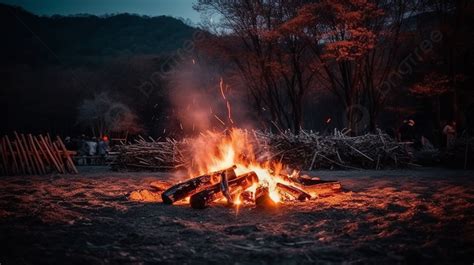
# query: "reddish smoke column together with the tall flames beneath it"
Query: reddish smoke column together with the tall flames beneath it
209,109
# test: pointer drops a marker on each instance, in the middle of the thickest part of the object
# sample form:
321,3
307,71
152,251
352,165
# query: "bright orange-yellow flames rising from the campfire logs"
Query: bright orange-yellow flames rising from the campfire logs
215,151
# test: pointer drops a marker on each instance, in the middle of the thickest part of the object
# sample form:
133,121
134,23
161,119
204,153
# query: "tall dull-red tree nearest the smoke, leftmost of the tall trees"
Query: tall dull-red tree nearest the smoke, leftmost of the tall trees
272,62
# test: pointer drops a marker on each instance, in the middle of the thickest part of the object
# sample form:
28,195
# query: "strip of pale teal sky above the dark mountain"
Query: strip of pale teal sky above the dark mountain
175,8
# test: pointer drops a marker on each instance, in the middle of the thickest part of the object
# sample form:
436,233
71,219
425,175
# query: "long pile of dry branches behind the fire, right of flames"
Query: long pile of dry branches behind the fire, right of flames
312,151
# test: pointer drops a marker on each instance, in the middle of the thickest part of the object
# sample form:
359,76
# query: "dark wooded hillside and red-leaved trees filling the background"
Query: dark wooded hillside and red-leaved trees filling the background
286,65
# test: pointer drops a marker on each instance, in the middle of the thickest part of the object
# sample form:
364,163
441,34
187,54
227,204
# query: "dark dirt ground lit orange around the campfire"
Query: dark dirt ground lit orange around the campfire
423,216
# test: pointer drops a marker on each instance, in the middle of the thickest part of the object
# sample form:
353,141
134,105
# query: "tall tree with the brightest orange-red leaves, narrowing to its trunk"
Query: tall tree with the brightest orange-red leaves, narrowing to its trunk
355,45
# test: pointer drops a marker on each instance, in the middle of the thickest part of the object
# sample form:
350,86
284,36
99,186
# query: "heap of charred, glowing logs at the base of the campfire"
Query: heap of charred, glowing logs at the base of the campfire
225,185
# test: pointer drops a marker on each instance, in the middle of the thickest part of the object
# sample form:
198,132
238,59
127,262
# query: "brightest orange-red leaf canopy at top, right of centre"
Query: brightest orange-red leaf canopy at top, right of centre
341,26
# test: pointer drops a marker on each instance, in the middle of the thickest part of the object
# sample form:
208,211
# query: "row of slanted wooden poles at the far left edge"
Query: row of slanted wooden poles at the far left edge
34,155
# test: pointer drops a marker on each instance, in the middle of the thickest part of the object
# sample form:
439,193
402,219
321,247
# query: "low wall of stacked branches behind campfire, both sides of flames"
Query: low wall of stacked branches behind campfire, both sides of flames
306,151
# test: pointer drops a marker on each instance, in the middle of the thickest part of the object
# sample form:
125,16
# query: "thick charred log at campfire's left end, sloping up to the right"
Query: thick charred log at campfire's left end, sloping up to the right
185,189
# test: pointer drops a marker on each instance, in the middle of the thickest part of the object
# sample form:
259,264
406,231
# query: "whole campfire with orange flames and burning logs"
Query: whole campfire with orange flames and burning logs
228,171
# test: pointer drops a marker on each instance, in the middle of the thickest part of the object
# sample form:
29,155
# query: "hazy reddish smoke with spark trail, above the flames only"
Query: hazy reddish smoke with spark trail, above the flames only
204,100
